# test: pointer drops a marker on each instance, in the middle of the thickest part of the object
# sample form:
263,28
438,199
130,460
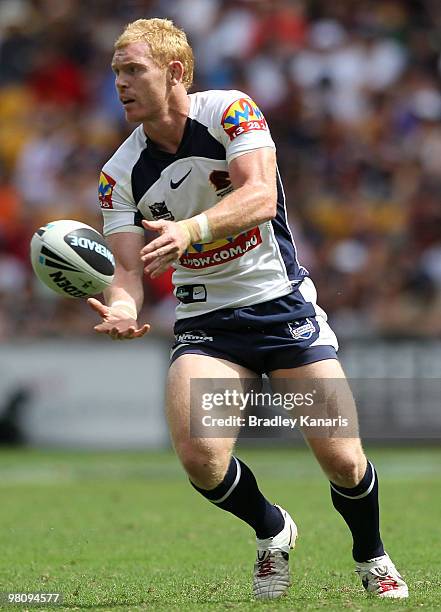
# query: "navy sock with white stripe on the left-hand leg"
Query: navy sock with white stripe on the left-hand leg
239,494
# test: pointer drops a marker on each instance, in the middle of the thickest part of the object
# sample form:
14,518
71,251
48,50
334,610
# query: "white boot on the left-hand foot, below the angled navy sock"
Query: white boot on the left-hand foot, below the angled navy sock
271,570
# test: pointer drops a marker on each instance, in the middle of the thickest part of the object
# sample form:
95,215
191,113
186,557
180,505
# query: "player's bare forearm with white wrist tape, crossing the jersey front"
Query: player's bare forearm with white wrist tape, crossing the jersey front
243,209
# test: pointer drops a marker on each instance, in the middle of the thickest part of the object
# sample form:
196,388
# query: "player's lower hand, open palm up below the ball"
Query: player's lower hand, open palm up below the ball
116,323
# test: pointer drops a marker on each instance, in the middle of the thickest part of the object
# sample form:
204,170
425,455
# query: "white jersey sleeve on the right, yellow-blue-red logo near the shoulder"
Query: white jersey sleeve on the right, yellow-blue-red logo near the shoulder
244,126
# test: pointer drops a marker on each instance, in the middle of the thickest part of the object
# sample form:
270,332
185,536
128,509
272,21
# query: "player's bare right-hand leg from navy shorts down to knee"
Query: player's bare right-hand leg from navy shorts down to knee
337,446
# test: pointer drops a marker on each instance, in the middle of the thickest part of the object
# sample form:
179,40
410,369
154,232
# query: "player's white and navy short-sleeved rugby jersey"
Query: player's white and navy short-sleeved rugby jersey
142,182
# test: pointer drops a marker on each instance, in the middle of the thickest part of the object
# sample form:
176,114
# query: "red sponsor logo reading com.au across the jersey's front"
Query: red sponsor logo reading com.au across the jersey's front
220,251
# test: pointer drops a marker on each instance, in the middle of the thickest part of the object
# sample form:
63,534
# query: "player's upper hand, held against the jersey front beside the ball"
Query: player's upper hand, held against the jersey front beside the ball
160,253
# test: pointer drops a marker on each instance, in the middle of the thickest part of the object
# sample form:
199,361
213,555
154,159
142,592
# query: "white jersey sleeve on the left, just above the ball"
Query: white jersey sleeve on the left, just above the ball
120,213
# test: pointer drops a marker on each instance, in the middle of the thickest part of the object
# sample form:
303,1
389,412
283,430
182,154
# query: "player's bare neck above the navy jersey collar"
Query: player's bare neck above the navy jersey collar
167,130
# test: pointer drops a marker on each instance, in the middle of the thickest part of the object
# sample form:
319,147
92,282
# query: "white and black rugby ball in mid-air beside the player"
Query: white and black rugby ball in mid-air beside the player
72,258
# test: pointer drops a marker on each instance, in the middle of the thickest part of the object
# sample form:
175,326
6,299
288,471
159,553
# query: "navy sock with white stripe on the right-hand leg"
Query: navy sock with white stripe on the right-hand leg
359,508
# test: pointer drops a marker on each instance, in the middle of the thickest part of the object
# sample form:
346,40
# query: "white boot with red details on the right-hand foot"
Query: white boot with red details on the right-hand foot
380,577
